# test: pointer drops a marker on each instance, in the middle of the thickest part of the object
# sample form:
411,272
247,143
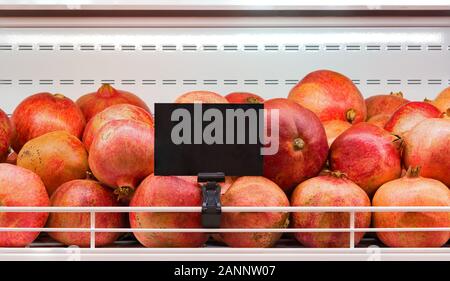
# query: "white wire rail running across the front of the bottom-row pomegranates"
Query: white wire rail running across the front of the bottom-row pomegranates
352,229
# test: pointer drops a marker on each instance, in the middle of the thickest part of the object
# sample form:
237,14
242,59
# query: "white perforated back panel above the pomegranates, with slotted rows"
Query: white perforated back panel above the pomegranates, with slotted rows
159,64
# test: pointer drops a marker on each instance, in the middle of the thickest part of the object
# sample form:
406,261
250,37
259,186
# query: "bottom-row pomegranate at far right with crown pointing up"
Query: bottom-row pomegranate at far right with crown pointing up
412,190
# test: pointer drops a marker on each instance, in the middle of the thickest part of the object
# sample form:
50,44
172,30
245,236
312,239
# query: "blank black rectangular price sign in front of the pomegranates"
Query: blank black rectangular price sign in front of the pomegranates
208,138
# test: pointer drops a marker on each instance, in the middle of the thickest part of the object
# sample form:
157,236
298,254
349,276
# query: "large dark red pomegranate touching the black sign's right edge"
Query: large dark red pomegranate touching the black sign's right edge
303,146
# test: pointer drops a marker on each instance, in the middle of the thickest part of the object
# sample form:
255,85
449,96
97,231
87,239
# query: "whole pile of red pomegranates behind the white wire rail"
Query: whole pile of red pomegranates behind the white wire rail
335,149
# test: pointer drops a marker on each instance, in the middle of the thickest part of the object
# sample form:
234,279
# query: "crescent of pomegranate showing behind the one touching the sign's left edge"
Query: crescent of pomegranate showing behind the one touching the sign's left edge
114,112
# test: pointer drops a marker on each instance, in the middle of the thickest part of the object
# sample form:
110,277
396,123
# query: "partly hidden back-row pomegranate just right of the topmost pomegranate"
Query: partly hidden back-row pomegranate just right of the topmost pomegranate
384,104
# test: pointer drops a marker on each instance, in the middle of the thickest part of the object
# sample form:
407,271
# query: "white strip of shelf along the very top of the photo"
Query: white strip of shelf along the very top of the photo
362,5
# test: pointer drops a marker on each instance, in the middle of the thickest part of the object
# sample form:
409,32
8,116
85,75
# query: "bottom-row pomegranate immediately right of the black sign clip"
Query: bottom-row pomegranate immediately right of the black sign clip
253,191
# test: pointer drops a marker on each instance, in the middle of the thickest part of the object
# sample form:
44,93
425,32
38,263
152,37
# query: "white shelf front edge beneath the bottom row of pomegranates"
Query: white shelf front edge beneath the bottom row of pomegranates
286,250
